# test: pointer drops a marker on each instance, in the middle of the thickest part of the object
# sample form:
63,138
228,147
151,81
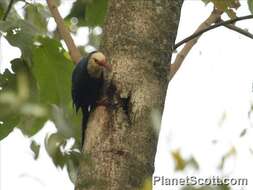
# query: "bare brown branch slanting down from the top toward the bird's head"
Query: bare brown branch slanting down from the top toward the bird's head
64,32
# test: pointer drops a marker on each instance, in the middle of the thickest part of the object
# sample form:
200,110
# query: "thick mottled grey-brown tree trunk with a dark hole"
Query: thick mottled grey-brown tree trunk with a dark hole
120,142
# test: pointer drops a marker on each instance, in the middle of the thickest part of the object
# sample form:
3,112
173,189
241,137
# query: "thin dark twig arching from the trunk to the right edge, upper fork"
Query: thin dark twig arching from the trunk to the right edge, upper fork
210,28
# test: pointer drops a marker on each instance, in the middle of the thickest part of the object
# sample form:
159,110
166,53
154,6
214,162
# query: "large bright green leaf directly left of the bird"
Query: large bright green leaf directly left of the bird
52,72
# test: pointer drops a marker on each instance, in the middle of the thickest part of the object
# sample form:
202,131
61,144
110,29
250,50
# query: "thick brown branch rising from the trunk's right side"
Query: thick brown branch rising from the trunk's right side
215,15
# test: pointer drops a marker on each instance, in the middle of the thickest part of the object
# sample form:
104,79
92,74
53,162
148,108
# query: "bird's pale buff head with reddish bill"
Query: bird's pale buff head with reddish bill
96,64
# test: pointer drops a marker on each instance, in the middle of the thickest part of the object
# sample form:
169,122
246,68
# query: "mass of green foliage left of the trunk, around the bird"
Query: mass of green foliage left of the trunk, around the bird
37,88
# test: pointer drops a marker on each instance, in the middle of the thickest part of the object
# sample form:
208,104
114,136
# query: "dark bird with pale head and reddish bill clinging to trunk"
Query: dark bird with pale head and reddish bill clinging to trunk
87,83
